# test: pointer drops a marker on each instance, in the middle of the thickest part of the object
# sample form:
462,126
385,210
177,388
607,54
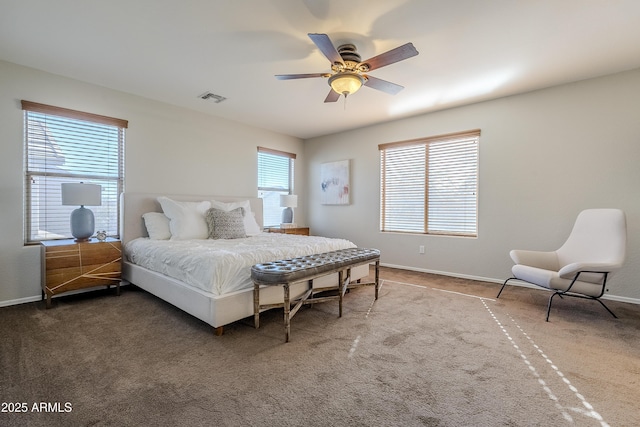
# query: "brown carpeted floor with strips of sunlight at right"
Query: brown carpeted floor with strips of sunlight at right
432,351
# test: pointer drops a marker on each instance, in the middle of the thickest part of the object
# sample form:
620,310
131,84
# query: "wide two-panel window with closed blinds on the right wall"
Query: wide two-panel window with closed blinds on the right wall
430,185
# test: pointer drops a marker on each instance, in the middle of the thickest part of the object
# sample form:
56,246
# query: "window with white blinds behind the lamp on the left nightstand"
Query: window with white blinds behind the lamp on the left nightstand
67,146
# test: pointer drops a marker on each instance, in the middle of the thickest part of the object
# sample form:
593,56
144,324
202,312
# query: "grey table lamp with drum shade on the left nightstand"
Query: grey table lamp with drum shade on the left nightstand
82,219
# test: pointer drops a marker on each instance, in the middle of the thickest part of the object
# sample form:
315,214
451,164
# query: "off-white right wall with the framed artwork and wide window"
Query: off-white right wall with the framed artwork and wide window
544,156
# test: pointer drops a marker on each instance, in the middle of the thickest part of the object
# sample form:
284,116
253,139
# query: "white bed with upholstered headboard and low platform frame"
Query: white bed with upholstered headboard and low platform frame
216,304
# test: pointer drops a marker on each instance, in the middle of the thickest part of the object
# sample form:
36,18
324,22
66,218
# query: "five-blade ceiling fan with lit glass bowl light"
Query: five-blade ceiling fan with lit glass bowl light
349,71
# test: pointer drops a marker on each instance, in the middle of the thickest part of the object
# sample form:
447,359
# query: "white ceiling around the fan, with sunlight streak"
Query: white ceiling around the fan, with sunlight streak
175,50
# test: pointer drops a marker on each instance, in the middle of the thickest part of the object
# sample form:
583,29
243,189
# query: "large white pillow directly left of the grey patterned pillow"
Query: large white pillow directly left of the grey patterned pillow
186,218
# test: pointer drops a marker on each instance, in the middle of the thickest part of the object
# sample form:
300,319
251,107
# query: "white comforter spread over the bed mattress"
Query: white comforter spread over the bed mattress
222,266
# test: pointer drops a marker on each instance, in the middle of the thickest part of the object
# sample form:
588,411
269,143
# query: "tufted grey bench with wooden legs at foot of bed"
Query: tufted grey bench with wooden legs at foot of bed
306,268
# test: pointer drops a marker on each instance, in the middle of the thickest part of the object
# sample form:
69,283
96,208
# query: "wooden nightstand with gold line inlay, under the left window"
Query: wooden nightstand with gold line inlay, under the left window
68,265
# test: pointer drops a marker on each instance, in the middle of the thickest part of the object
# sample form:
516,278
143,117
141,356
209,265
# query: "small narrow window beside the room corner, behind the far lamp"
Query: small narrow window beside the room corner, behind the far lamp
275,177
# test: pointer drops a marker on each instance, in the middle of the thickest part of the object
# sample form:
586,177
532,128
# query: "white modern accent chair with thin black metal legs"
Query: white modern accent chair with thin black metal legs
580,268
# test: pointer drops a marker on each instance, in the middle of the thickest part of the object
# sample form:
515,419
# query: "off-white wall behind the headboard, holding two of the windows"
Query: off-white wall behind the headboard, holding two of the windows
168,149
